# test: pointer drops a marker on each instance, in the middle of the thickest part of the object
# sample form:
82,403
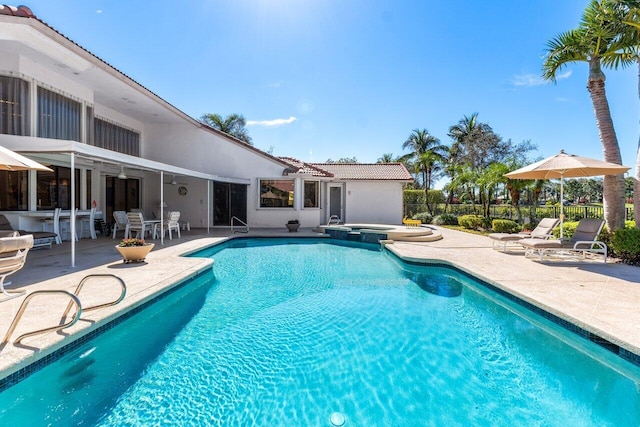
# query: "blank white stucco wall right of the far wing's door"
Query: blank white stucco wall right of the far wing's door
374,202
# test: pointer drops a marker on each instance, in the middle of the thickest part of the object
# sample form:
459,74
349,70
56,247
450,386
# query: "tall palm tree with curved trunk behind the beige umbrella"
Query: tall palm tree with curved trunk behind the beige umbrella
594,41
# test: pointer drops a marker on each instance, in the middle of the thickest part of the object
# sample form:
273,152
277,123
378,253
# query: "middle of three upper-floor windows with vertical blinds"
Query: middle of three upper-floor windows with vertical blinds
58,116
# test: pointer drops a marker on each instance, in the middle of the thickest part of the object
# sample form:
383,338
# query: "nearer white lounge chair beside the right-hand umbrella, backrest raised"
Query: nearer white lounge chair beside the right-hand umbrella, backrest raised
584,241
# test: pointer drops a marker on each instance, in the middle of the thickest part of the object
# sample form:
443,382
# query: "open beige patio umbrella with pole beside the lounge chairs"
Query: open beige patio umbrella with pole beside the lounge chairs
564,165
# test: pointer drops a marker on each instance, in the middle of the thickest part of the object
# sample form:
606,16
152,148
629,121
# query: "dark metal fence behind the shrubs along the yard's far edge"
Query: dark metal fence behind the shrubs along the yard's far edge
571,213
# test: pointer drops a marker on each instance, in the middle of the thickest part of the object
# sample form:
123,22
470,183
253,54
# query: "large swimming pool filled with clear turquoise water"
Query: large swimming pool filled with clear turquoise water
289,332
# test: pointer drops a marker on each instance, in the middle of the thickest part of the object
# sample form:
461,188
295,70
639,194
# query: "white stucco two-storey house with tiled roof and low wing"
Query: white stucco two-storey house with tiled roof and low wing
128,149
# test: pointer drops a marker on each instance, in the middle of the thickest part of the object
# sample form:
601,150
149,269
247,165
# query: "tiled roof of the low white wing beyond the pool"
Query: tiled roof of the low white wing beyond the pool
367,171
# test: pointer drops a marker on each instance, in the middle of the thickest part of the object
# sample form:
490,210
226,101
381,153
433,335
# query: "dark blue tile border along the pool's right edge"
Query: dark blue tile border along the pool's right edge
581,332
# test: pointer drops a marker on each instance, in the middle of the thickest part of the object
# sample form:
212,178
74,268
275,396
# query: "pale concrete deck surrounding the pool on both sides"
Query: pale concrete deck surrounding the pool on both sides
600,298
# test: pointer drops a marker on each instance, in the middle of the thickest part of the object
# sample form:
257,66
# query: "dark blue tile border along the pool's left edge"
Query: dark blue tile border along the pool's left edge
34,367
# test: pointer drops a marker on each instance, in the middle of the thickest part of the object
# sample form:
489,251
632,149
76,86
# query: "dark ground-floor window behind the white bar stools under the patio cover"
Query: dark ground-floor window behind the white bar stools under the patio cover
54,188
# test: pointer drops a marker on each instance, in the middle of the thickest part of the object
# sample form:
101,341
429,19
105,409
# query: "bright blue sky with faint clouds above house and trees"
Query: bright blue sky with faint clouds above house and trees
320,79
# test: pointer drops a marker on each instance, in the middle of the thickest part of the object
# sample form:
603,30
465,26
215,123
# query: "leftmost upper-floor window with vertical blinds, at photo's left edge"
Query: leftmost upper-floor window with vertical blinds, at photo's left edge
14,106
